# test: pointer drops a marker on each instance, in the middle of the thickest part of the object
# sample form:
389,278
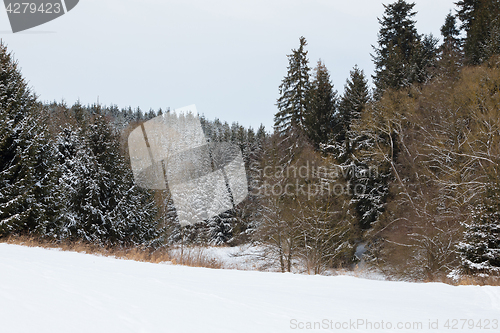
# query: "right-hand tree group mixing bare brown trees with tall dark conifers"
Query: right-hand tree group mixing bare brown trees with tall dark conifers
404,176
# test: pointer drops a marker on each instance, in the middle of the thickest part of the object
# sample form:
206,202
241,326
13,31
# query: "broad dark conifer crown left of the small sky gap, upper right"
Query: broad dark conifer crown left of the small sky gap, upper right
402,57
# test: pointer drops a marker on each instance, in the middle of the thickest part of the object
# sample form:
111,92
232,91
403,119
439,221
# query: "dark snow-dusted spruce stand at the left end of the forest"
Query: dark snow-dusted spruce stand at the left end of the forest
63,173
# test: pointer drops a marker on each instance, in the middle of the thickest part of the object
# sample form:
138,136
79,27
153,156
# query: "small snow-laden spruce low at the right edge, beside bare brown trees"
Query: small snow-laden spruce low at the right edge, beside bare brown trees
480,250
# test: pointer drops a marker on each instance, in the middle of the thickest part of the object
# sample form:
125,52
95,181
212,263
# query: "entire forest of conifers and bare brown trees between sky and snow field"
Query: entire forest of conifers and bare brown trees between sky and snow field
402,176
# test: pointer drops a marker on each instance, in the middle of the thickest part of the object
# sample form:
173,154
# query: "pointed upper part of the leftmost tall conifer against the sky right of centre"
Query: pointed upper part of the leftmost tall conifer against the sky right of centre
294,92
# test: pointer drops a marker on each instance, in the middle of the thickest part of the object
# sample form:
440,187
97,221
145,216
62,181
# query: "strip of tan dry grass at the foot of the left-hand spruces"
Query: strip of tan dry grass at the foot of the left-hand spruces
190,257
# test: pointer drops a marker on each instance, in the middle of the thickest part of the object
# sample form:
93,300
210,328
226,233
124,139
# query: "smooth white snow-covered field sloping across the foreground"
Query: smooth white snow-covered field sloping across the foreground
52,291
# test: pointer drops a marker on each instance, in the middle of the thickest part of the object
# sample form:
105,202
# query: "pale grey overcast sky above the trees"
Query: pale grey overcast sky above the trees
226,56
